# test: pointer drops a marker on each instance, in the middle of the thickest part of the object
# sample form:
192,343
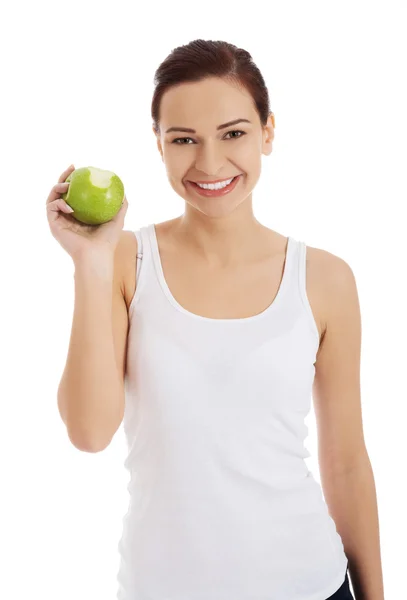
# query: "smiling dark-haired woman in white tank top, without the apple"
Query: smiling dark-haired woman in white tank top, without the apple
220,326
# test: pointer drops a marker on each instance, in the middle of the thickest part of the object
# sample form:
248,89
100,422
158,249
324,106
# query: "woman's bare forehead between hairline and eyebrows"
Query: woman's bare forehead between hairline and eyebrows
205,103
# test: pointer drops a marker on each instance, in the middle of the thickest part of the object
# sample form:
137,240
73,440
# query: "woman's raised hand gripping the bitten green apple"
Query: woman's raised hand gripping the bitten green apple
75,237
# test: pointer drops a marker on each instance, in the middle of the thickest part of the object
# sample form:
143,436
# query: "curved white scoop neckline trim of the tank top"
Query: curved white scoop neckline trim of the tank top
152,235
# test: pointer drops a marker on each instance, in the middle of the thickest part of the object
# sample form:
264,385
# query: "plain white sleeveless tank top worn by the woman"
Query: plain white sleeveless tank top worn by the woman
222,505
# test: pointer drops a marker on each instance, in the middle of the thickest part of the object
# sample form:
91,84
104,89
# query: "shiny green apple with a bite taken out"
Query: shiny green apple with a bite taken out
94,194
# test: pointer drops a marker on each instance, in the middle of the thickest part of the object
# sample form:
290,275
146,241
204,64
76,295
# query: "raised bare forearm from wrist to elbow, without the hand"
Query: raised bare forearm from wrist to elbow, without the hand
91,390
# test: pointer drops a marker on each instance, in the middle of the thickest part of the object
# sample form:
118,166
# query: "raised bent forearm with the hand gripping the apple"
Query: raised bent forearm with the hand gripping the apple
91,390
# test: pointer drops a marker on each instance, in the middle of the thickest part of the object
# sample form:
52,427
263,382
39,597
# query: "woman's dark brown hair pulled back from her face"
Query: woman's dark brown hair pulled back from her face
201,59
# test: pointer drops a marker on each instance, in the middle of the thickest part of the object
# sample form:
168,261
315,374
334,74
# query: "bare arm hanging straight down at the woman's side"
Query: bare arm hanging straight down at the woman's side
346,474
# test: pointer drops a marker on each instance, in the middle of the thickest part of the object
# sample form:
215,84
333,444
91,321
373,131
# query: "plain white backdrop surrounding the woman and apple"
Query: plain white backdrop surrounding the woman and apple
77,81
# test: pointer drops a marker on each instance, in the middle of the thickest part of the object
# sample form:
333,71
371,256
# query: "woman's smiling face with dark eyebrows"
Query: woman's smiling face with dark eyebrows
210,153
